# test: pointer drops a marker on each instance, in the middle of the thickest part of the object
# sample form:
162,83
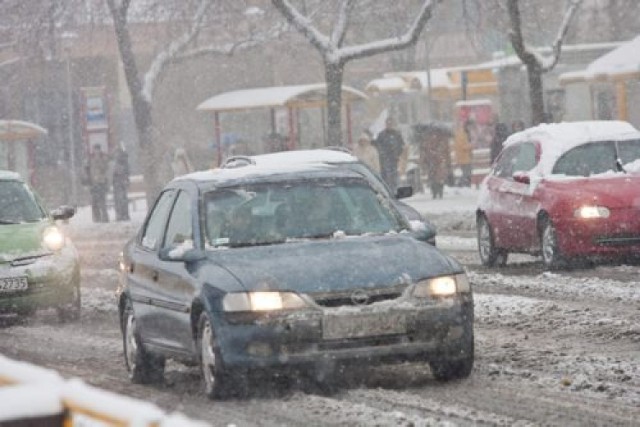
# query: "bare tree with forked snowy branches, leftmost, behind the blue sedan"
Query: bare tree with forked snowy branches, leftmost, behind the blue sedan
142,86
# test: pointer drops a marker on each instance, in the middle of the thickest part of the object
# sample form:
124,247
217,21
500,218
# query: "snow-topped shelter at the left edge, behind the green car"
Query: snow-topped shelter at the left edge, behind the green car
17,139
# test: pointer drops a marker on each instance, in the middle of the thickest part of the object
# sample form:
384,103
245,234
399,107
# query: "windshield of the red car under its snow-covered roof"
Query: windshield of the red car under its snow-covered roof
600,157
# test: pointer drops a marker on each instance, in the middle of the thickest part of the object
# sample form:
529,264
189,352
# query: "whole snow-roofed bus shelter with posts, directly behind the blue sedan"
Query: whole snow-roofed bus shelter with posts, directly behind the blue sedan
291,98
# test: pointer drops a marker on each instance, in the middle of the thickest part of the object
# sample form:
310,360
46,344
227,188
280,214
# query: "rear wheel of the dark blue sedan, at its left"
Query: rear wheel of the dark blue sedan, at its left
143,367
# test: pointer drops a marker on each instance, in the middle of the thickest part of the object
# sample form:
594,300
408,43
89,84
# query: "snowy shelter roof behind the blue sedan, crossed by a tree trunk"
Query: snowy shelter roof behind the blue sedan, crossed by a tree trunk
301,96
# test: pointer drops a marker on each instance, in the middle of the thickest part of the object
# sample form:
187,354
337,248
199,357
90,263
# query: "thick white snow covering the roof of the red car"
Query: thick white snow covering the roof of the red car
558,138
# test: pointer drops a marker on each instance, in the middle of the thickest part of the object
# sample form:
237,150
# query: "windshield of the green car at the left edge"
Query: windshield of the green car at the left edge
18,204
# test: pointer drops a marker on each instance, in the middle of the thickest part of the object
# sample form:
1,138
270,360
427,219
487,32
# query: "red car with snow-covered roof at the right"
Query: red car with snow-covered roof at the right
565,191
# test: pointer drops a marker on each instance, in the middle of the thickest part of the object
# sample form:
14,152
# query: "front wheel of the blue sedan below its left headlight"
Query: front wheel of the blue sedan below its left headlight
214,376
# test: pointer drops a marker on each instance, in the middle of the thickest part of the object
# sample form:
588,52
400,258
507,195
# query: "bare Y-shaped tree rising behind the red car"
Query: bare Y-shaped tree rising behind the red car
536,64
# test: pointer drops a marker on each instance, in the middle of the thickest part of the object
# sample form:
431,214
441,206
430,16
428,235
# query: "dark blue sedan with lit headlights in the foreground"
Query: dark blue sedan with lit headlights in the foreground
304,267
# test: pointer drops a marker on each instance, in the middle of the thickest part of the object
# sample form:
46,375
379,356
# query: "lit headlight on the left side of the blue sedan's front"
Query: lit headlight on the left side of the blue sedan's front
262,301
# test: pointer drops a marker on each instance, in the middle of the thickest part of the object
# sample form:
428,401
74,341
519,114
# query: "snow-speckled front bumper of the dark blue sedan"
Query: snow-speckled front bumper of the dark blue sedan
430,332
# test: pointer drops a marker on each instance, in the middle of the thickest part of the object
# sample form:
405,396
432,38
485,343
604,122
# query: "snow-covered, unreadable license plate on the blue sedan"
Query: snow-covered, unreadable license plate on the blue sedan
362,325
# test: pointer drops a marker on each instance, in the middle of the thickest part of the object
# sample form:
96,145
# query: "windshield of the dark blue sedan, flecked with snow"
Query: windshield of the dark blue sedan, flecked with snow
287,211
